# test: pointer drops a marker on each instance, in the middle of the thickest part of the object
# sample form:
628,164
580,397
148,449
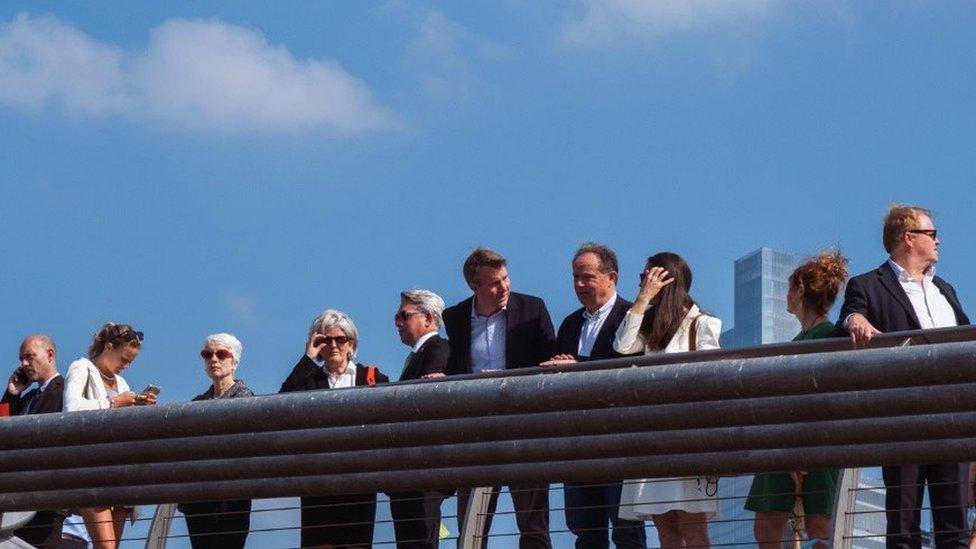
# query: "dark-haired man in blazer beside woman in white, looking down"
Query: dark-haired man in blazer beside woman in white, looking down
587,334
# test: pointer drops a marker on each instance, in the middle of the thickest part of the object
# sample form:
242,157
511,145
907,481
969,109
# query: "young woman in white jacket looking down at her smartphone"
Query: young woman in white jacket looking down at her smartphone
95,383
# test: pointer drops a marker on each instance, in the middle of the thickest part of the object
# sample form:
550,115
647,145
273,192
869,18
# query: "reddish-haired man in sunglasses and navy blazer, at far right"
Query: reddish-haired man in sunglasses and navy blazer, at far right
904,294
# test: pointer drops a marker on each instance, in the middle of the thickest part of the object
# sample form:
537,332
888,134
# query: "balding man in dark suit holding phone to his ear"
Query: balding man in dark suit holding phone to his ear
38,364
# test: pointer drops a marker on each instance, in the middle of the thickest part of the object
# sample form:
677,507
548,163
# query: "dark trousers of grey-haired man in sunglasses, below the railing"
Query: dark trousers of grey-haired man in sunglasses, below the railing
417,519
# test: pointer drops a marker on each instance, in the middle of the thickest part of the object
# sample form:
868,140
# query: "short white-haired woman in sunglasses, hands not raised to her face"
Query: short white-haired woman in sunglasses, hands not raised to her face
223,524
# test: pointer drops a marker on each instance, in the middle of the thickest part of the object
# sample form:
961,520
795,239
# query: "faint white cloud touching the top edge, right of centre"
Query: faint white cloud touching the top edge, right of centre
614,23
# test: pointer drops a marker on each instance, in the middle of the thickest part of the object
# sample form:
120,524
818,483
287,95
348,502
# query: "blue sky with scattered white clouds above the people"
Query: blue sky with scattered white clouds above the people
199,167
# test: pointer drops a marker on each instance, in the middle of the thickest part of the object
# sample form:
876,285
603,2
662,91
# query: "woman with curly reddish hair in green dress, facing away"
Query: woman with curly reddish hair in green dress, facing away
814,287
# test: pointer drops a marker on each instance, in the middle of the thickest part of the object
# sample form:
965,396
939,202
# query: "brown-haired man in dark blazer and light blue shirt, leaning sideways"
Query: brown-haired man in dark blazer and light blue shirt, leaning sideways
497,329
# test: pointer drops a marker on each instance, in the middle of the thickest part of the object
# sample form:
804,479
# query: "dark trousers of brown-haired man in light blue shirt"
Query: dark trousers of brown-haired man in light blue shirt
531,504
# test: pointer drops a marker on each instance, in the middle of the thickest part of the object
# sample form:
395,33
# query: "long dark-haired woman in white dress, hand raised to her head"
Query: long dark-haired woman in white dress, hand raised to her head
665,319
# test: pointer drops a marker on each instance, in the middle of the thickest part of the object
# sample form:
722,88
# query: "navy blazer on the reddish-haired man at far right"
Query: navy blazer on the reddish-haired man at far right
880,298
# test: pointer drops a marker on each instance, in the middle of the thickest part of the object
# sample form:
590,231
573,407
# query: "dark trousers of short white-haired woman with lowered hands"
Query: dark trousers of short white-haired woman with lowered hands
217,525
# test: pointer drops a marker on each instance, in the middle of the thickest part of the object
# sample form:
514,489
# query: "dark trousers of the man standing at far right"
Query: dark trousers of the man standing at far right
947,495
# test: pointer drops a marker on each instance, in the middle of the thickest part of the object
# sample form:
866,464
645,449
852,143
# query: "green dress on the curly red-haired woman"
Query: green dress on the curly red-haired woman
775,492
